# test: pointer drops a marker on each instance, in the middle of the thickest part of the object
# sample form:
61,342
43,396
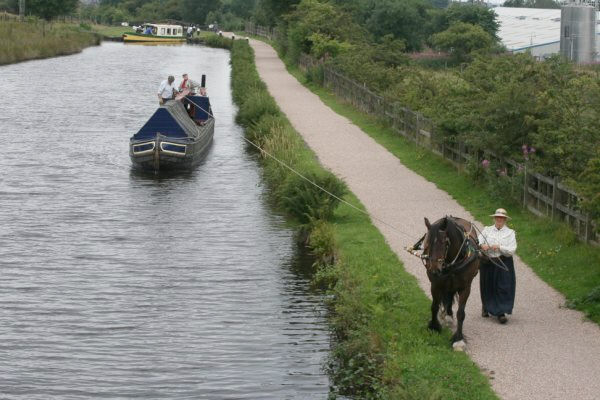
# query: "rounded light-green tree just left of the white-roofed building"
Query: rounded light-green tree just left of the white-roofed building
461,39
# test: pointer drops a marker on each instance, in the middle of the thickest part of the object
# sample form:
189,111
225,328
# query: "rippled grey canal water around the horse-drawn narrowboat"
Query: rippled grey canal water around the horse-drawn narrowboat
120,285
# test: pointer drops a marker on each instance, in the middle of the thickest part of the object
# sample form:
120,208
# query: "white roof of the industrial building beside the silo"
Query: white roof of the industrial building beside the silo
527,27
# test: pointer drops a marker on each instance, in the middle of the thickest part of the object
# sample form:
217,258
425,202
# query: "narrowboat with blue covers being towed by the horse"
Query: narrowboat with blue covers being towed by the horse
177,136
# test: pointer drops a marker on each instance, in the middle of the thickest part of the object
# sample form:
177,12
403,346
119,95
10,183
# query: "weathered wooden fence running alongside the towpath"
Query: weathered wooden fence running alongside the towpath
541,195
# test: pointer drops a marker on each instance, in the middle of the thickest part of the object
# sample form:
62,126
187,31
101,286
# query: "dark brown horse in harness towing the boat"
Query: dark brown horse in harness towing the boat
450,254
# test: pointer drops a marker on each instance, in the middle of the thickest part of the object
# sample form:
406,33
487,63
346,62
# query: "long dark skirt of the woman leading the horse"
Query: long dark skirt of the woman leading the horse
497,286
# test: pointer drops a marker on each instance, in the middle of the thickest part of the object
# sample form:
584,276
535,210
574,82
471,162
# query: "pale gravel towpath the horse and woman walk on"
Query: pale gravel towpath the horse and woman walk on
545,351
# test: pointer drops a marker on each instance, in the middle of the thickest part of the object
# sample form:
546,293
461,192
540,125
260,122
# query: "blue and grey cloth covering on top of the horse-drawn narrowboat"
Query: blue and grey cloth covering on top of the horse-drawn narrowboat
173,120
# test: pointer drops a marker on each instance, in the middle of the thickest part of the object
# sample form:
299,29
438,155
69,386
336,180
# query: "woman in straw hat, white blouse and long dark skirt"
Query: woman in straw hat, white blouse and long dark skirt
497,273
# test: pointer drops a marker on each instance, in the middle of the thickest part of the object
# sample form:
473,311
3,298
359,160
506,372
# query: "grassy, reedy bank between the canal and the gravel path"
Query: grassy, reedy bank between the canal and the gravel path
383,349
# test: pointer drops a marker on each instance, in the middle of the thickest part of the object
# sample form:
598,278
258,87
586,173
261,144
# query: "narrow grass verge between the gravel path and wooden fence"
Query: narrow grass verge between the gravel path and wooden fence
551,249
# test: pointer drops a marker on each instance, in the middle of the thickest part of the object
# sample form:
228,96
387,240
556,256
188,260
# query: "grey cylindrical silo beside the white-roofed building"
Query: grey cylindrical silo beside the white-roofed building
578,32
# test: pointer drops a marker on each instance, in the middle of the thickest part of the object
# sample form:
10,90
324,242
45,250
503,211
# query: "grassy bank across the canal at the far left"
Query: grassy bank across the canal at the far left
21,41
